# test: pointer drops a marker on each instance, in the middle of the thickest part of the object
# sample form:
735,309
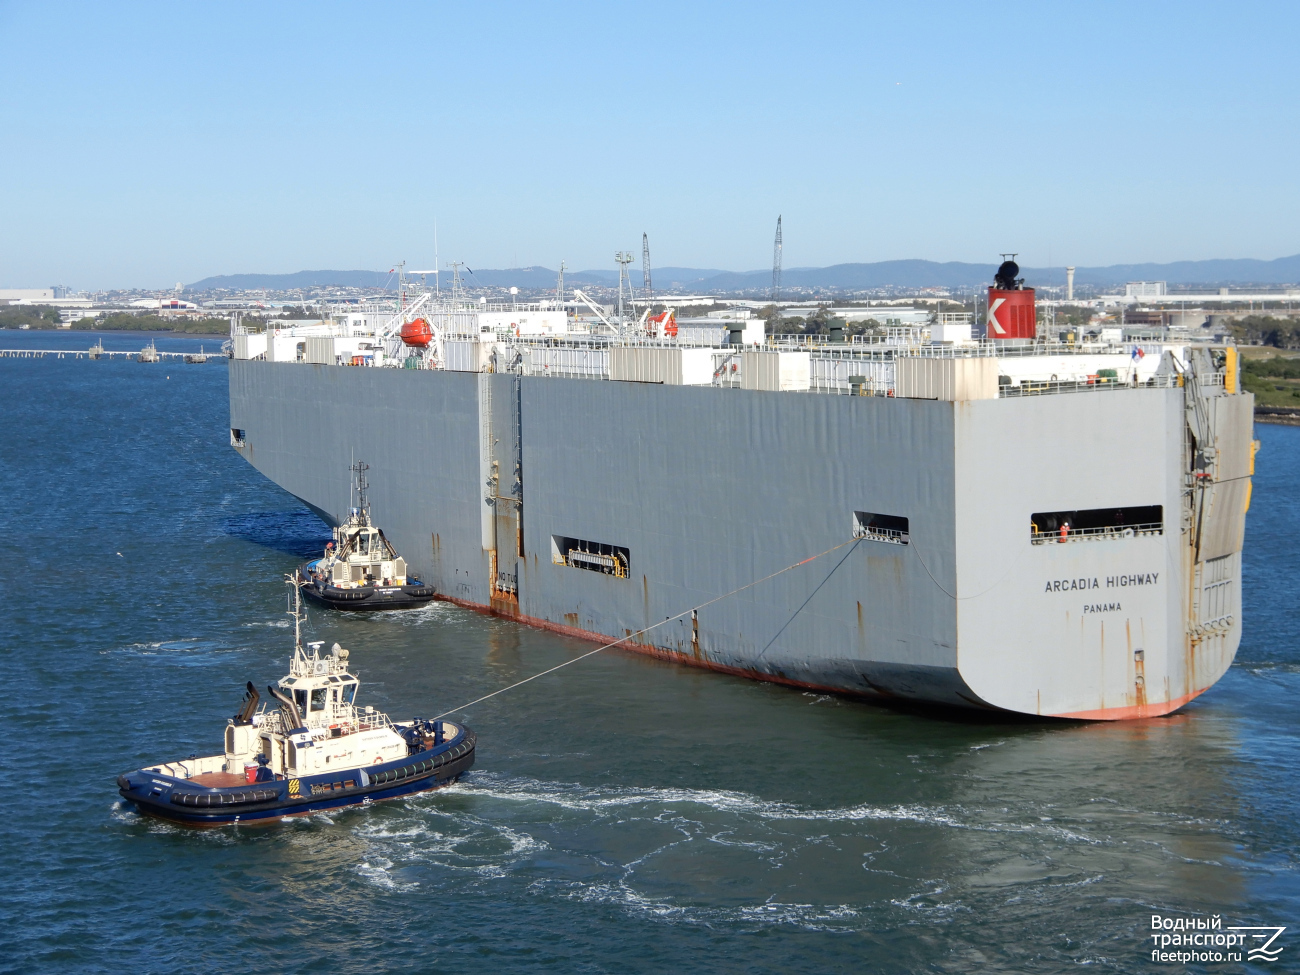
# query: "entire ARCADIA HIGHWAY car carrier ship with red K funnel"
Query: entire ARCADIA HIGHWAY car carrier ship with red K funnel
1034,526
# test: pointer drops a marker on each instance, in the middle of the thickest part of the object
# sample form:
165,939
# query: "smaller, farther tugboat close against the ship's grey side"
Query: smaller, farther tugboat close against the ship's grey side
361,570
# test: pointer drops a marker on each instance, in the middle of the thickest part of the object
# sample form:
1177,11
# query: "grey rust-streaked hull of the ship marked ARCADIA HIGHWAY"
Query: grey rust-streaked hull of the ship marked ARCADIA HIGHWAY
480,480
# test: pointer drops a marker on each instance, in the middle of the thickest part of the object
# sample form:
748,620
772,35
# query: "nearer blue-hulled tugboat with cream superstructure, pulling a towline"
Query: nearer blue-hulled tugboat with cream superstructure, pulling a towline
317,749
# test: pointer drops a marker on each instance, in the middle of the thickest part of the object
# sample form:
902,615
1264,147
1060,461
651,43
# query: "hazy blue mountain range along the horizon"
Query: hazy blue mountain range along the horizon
839,278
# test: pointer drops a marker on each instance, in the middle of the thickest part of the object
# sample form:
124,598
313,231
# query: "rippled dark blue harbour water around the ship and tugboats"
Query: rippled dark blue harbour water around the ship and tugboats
625,814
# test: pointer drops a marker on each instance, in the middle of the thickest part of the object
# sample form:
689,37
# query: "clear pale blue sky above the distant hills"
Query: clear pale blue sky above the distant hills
149,144
